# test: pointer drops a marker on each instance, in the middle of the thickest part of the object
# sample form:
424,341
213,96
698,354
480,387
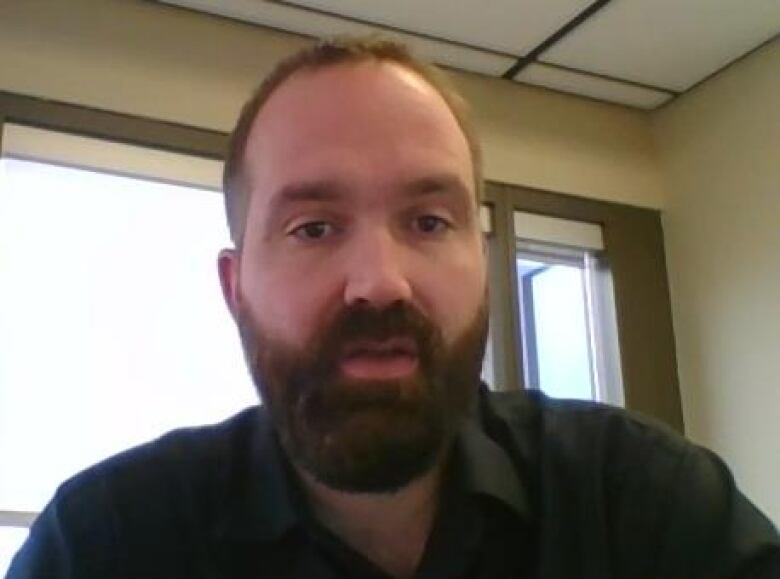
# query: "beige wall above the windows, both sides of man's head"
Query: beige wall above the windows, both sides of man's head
144,58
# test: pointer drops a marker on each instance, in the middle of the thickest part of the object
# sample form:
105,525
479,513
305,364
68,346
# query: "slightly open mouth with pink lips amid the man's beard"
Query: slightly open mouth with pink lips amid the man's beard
380,360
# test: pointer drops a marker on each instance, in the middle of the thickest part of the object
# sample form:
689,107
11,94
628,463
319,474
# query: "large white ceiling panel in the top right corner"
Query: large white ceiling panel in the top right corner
667,43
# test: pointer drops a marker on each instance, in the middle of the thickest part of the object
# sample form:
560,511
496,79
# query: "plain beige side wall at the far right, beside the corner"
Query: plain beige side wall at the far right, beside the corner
720,149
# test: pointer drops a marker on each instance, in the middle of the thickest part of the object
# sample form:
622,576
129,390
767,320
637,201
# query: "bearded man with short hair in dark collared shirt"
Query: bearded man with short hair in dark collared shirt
358,283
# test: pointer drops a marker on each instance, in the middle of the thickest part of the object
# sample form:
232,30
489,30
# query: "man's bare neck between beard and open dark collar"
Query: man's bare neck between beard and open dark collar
390,529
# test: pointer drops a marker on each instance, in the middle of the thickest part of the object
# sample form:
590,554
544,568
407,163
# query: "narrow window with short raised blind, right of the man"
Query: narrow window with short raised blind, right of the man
566,319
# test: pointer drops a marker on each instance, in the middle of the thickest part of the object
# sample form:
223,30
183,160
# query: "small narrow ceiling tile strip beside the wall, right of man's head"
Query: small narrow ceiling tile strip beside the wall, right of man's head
592,86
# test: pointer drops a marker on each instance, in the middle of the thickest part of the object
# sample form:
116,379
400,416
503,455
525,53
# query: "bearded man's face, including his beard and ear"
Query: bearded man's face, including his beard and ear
360,288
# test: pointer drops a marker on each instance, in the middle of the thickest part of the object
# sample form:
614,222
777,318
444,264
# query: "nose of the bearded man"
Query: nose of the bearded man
376,271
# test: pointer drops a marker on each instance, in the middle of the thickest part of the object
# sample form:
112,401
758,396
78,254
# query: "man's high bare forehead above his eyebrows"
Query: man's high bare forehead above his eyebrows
366,120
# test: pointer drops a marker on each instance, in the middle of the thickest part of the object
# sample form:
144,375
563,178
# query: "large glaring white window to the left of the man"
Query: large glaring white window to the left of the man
112,323
